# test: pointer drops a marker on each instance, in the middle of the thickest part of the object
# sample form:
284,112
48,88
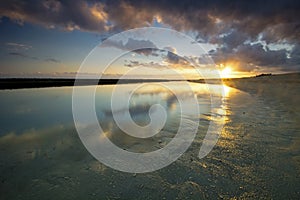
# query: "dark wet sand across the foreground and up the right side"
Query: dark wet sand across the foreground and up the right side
256,157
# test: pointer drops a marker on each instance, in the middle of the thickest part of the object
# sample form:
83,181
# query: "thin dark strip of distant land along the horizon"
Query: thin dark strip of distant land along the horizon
21,83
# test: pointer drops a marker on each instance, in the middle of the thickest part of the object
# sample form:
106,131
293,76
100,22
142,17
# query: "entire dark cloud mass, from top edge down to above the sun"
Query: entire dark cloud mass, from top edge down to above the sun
230,24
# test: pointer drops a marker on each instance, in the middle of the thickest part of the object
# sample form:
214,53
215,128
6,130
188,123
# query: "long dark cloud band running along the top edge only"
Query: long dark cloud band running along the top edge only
281,17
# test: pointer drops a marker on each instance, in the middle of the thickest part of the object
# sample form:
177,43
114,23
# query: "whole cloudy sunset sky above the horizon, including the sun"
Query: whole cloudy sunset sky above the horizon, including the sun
51,38
